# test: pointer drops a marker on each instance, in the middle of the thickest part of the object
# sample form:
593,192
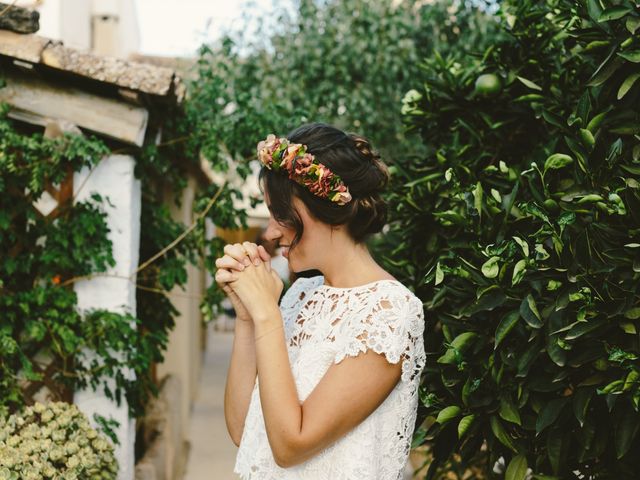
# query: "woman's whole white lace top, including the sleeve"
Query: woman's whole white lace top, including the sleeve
323,325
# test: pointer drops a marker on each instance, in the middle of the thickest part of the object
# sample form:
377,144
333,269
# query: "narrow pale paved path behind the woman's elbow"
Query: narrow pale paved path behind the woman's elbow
213,454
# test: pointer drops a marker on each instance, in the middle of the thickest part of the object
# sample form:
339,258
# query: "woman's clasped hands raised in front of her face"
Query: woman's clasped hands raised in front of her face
245,275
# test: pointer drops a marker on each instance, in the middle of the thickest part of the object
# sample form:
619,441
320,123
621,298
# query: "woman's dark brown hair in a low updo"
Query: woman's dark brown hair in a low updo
352,158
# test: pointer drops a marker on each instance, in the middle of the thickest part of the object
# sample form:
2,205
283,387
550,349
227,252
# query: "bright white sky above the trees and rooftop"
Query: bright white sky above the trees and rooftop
177,28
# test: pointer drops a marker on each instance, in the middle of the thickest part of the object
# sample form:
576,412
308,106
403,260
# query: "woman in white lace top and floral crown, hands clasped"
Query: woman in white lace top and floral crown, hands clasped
324,385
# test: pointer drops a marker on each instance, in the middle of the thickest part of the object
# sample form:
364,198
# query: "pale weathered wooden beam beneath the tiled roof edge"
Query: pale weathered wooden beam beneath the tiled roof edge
34,101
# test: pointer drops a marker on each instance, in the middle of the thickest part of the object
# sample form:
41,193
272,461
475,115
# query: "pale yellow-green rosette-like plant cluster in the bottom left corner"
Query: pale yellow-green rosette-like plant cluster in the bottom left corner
53,441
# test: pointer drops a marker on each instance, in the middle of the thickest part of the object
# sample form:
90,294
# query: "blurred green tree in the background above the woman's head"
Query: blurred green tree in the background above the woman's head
347,63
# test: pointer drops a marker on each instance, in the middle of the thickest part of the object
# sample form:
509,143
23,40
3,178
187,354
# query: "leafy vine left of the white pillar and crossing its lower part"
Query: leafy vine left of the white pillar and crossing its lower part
44,339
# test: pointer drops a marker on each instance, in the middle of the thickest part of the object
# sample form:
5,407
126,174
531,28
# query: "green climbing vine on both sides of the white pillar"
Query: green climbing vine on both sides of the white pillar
44,339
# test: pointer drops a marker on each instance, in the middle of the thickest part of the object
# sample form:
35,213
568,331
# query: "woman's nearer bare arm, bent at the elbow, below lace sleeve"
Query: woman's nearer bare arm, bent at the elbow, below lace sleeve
347,394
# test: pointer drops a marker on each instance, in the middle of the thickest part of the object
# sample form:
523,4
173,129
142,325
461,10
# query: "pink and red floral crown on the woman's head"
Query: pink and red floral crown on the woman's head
279,155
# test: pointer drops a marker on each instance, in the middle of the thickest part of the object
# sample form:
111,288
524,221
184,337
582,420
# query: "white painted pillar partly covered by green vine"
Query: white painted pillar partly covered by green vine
114,179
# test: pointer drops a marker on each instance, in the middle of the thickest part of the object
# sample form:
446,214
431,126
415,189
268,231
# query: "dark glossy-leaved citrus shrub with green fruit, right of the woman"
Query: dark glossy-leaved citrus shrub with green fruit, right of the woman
521,231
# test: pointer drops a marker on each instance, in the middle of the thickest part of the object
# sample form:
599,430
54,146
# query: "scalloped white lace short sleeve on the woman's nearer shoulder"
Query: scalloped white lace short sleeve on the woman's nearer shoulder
392,323
